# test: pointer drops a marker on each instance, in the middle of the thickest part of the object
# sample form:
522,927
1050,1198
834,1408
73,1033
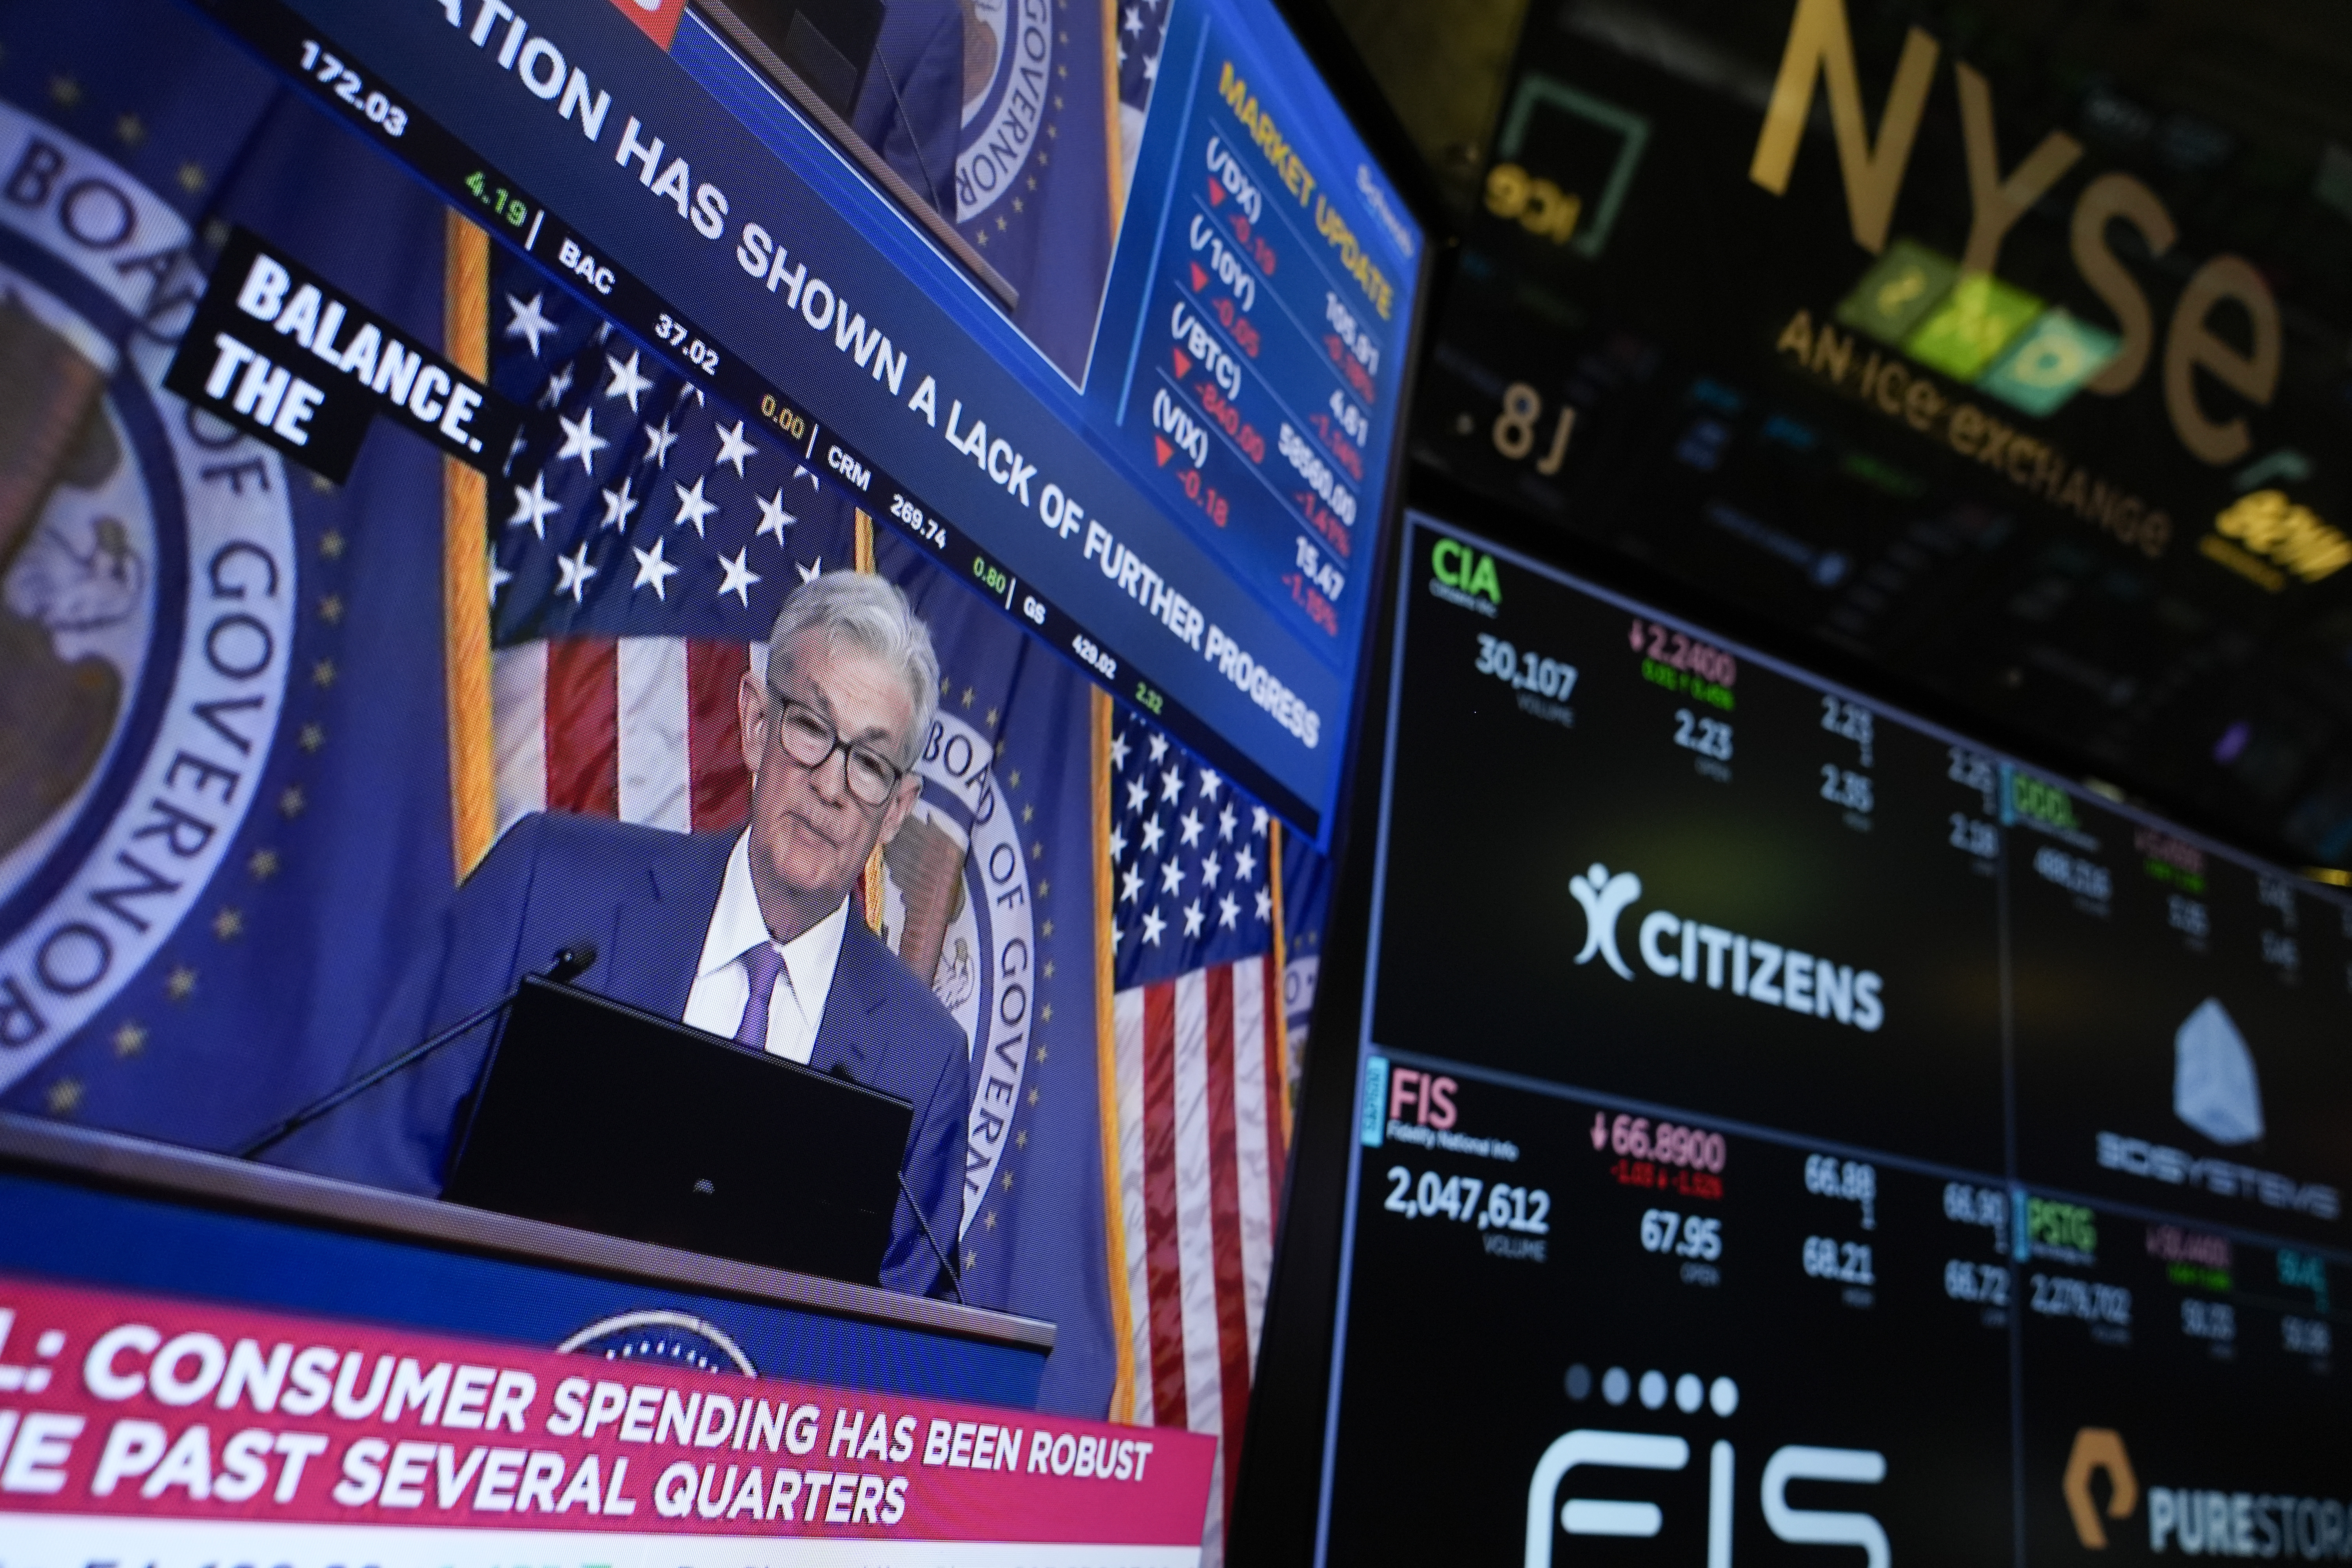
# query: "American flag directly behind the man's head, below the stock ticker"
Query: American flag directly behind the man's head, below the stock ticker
643,540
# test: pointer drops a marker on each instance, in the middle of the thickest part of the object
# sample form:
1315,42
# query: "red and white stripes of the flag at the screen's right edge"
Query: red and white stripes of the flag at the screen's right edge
1201,1179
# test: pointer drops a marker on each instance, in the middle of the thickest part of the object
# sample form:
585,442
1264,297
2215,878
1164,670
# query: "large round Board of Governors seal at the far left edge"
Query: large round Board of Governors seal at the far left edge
147,594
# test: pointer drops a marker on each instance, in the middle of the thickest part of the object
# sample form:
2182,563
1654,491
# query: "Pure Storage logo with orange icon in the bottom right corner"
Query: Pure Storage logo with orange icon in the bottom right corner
2193,1520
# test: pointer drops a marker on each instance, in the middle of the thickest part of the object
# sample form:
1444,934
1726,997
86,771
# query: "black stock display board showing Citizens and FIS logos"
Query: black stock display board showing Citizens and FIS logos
1789,1132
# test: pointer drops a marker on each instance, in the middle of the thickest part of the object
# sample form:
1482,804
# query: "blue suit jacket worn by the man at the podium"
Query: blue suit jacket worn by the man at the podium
646,899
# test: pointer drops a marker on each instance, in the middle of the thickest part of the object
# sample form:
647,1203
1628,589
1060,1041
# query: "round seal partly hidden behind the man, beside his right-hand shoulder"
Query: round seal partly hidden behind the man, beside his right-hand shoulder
958,906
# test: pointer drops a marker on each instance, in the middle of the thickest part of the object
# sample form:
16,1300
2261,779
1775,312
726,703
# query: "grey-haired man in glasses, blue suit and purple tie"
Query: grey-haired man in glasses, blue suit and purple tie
744,934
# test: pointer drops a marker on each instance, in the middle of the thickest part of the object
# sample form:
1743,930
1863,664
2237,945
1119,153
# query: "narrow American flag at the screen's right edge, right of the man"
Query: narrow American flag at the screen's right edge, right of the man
1198,1078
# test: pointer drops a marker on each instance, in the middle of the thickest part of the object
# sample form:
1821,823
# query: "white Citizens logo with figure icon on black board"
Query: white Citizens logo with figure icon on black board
1723,960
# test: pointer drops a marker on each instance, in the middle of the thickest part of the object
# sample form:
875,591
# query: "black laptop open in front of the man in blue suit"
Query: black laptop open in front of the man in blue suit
622,1123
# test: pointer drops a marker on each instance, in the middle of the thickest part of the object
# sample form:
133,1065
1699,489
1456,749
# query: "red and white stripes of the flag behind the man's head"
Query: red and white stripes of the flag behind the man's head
632,728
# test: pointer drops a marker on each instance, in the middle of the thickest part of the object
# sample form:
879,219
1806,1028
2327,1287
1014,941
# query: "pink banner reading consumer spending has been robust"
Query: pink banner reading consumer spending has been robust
168,1433
